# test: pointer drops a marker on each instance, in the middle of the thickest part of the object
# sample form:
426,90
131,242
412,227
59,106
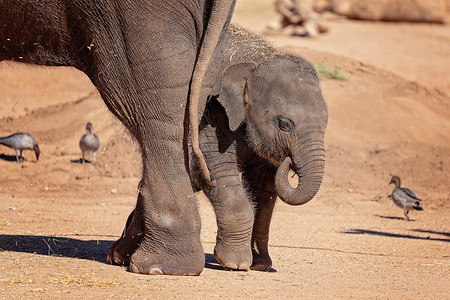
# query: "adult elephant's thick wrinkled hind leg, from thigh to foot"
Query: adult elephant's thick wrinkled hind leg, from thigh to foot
150,99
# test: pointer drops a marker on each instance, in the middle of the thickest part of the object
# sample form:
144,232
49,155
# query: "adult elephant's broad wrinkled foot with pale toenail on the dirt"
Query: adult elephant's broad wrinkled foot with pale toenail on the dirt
166,260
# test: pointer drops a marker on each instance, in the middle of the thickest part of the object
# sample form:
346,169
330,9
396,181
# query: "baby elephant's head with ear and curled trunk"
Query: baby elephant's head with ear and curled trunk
281,103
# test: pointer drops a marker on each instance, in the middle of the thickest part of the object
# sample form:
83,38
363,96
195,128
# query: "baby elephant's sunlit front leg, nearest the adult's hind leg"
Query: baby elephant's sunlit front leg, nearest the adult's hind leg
229,199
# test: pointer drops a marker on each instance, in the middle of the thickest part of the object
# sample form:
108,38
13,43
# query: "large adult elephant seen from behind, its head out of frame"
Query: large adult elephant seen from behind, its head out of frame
145,58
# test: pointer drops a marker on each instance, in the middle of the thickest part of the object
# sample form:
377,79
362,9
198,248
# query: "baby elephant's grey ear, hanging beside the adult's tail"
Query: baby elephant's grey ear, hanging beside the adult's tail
230,89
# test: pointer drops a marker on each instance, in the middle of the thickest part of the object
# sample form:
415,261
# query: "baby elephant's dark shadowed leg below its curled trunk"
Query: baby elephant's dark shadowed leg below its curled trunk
262,188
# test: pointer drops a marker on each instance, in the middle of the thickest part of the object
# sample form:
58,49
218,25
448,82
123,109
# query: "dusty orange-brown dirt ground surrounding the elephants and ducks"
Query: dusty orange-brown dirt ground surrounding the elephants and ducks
58,217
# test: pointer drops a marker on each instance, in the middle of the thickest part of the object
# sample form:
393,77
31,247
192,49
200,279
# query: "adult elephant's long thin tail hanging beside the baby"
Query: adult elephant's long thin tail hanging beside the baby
220,13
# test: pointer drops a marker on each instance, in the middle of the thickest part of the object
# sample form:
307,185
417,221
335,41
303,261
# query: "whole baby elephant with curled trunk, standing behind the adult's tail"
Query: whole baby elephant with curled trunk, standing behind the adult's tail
269,117
